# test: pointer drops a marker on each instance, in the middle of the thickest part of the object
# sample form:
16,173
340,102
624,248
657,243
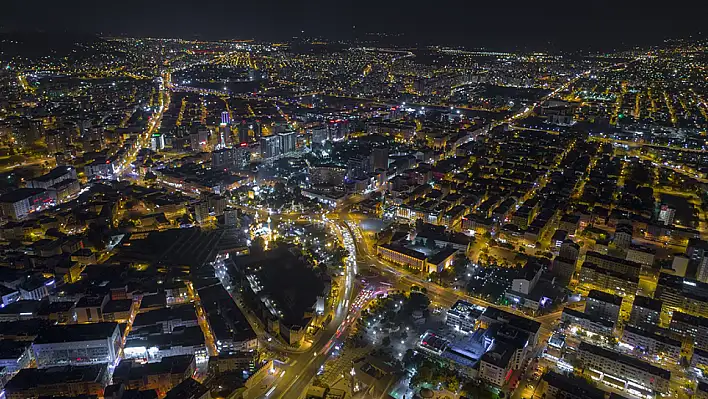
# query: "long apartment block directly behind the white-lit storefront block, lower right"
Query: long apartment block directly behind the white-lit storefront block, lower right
651,344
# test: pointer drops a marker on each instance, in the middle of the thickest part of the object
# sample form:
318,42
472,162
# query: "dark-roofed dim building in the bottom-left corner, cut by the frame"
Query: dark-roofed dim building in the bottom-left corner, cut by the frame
65,381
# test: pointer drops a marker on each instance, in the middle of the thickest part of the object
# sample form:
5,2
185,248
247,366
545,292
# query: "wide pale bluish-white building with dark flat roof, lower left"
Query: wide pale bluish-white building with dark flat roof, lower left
77,344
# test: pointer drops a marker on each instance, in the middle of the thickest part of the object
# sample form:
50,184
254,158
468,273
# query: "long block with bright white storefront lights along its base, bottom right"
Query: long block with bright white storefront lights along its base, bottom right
622,371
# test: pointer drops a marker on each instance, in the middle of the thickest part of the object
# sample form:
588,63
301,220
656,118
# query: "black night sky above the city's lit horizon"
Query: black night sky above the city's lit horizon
512,24
